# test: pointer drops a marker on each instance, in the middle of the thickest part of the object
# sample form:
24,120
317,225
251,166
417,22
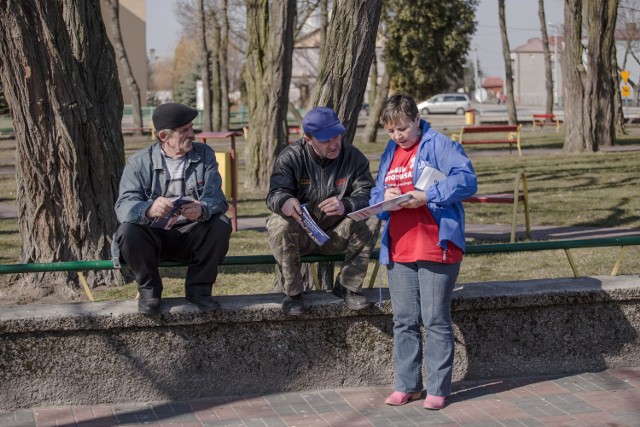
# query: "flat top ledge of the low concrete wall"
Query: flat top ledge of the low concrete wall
320,305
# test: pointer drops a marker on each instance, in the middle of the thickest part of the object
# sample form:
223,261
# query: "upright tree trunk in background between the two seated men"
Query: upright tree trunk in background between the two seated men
267,74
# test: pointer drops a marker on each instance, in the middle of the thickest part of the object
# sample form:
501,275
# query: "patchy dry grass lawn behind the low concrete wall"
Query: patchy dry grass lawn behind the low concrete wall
591,190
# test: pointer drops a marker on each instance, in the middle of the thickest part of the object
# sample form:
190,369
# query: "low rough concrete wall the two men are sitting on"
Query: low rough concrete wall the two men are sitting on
91,353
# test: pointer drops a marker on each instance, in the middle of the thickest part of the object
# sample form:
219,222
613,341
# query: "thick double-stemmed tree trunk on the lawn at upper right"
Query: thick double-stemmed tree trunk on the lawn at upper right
589,92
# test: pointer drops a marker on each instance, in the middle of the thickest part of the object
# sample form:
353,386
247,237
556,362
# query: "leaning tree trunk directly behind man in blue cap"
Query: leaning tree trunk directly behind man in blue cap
346,61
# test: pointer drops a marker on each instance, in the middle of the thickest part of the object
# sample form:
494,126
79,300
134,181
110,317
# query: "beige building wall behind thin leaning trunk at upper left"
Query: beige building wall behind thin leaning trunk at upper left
133,26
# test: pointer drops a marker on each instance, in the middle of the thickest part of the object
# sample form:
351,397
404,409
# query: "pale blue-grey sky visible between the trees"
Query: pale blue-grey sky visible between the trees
523,23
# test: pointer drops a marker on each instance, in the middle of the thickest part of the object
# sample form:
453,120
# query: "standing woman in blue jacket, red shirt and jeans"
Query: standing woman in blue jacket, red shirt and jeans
422,244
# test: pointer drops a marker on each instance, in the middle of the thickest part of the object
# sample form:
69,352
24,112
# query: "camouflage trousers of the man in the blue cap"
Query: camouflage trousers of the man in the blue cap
289,242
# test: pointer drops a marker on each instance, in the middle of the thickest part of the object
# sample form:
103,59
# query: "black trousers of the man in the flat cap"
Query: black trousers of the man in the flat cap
202,244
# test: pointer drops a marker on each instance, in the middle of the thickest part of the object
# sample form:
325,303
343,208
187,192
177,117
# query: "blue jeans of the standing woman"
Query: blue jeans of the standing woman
421,292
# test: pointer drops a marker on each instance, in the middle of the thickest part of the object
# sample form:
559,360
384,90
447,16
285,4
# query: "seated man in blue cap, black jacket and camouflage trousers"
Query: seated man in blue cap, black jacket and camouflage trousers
332,179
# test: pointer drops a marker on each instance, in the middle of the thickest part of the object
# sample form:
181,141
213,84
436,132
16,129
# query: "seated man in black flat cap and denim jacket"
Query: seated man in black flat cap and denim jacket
172,168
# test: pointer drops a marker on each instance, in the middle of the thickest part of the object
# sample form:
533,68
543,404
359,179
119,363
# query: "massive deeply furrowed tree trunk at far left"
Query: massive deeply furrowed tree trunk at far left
59,72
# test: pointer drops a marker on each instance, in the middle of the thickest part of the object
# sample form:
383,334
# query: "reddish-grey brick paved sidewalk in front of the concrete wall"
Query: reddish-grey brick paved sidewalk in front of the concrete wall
608,398
